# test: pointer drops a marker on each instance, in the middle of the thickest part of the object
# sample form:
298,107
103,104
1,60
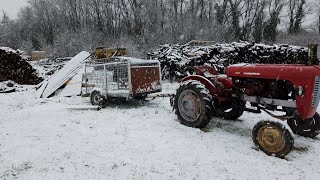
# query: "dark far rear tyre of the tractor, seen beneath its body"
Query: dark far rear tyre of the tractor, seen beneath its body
231,113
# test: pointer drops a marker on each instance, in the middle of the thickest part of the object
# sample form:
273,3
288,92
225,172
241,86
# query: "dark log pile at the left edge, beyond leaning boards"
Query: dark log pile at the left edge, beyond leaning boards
12,67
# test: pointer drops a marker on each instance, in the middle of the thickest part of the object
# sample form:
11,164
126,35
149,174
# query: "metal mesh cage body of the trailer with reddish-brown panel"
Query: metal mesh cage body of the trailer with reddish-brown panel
122,79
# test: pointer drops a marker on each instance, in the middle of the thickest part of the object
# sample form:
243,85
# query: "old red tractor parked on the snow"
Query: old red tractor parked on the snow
291,89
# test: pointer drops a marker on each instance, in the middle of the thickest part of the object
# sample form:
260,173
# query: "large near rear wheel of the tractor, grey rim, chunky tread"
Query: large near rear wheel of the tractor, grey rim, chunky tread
193,104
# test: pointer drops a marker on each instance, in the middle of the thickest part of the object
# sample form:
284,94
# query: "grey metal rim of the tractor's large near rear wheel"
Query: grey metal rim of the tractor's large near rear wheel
189,105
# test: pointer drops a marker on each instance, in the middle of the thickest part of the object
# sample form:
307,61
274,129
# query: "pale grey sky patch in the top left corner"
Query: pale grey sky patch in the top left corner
11,7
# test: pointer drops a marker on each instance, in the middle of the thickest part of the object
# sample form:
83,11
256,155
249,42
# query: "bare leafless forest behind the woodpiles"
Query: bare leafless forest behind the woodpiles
65,27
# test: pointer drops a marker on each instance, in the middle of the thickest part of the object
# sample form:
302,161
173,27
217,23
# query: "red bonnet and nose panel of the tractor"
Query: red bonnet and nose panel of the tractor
299,75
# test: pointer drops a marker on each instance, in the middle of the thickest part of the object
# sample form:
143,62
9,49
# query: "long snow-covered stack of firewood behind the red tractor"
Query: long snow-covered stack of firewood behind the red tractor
175,58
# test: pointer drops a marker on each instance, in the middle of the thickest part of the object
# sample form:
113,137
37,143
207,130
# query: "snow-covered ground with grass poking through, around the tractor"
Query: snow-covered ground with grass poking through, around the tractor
56,139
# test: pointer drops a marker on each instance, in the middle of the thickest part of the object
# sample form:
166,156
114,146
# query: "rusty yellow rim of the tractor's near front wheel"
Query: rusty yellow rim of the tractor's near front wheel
271,139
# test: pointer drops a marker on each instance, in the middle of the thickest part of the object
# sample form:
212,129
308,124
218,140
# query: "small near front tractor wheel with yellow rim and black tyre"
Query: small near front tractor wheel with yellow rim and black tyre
272,138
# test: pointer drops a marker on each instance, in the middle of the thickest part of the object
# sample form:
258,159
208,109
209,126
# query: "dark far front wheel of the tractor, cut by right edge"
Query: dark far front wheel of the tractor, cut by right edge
307,128
